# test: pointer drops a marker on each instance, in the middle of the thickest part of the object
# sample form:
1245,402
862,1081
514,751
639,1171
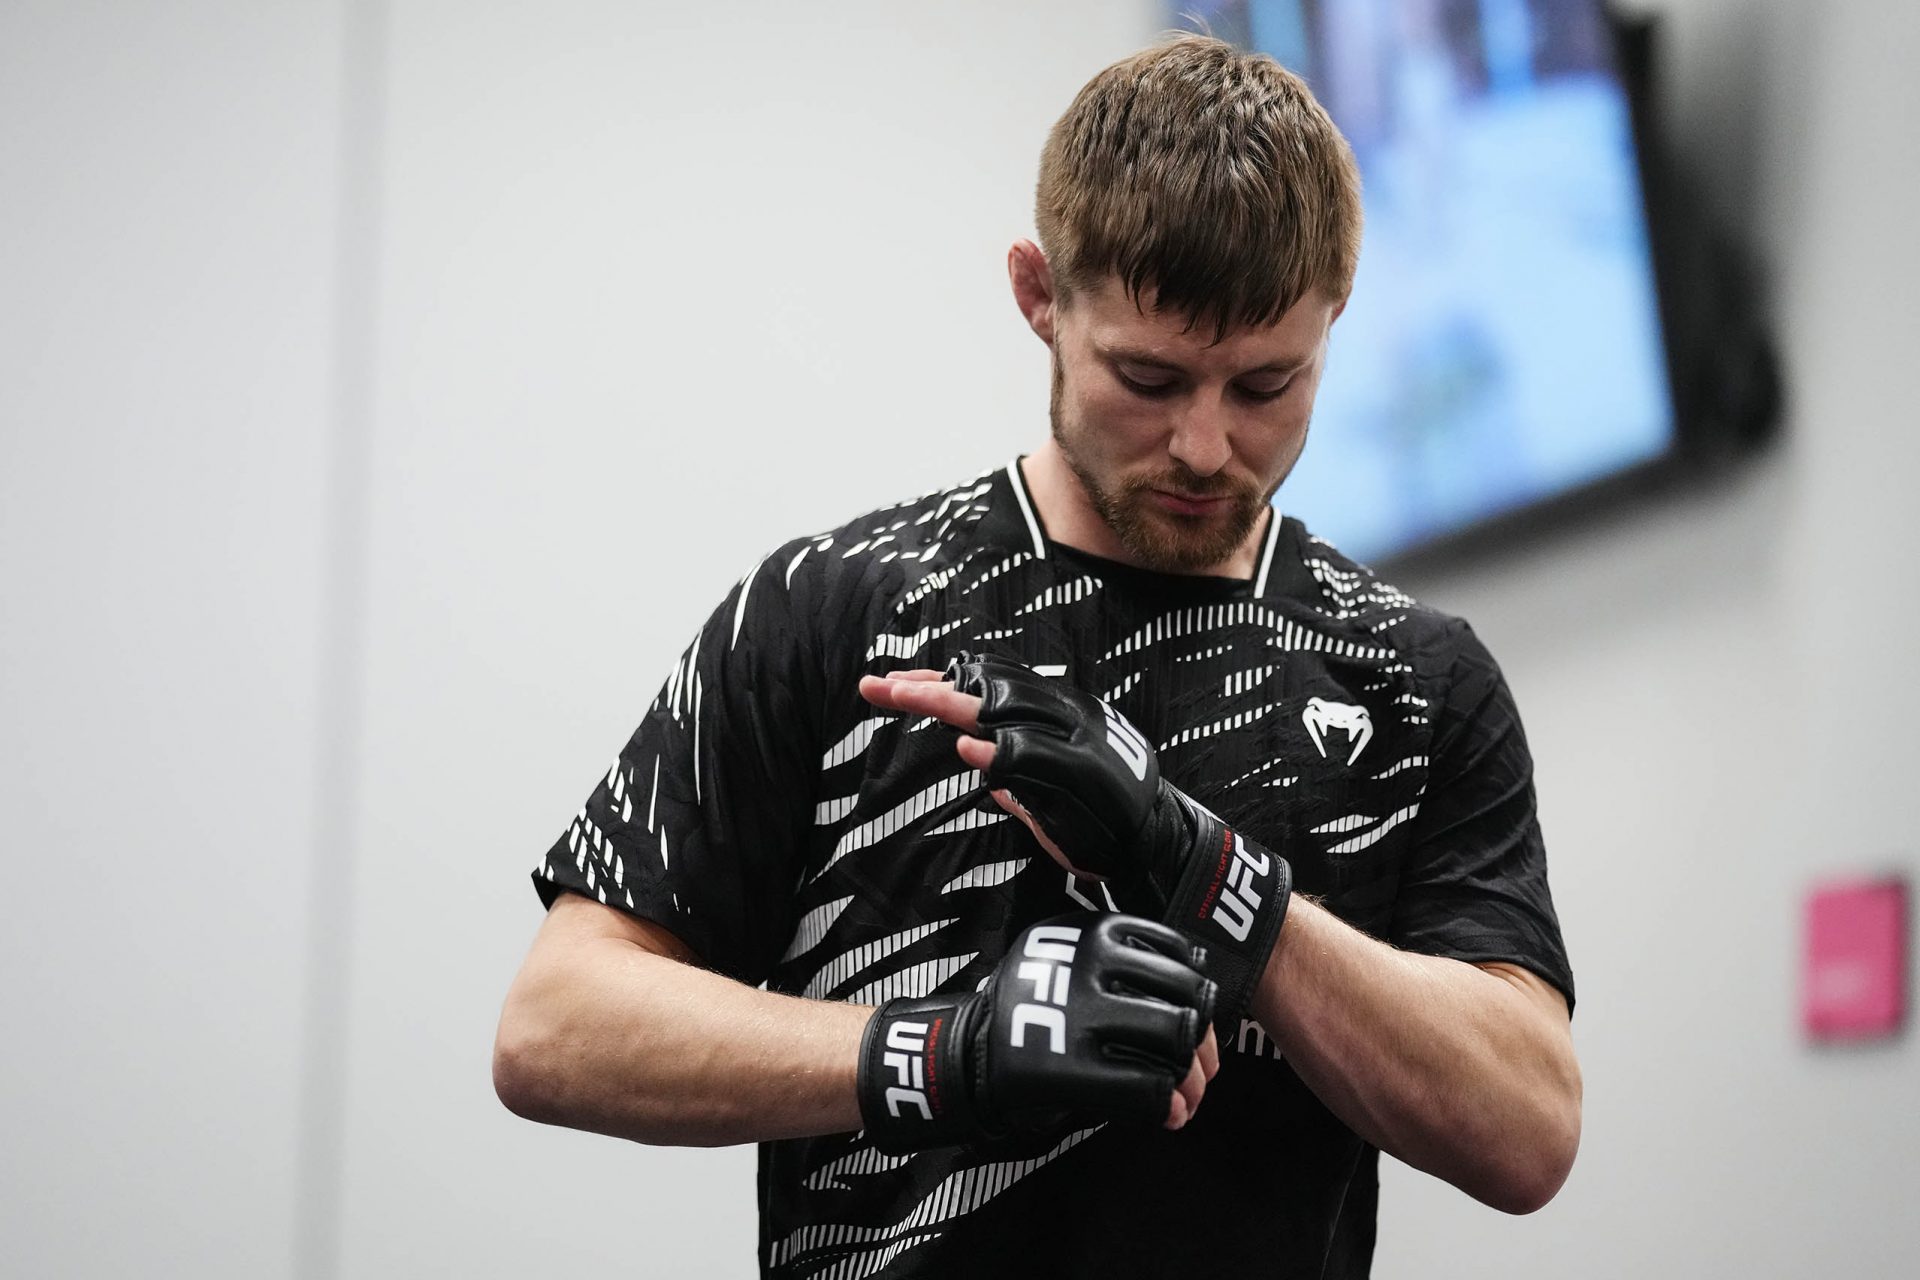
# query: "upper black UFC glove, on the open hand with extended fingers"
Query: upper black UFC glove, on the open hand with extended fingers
1093,784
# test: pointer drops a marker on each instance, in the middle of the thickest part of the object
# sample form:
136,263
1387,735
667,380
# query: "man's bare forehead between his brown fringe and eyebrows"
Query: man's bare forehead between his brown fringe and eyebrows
1115,325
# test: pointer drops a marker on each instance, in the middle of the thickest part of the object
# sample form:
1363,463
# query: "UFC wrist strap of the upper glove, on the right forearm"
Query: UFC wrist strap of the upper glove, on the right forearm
1232,901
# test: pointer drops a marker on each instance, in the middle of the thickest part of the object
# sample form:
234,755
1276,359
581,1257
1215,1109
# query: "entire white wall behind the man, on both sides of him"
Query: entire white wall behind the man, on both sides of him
389,389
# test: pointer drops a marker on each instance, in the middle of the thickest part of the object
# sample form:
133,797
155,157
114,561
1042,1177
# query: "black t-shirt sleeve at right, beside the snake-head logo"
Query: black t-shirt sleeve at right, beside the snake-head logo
1476,884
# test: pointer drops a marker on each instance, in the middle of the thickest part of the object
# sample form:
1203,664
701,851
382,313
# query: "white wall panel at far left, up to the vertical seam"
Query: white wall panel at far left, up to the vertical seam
168,216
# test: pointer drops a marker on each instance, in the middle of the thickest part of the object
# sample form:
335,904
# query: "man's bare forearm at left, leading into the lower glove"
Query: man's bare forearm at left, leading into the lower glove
627,1043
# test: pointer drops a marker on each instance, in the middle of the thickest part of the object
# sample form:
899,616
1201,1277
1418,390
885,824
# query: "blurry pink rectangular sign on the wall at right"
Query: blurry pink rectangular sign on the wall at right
1854,985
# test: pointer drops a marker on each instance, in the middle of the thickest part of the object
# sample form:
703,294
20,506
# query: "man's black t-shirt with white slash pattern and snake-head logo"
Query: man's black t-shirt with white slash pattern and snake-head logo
798,838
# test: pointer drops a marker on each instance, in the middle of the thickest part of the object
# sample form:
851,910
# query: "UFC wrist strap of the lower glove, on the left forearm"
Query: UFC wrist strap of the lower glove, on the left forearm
913,1076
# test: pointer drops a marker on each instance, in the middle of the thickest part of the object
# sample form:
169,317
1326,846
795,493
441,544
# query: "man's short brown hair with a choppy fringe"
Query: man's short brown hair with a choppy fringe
1205,174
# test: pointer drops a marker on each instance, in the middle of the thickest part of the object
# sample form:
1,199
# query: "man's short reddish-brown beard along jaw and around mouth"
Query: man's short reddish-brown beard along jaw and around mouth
1159,538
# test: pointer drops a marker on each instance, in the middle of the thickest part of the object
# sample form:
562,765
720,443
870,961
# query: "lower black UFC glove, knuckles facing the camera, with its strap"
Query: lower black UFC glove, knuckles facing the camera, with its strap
1090,1014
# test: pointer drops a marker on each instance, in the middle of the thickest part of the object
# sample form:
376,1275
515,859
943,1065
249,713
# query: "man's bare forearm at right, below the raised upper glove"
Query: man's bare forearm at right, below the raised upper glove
1441,1064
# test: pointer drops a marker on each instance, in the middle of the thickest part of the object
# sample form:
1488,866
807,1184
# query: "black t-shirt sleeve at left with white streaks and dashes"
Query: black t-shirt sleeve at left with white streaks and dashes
702,822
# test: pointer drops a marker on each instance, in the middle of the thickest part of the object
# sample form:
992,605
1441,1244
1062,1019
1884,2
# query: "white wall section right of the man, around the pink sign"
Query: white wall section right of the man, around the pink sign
1723,711
